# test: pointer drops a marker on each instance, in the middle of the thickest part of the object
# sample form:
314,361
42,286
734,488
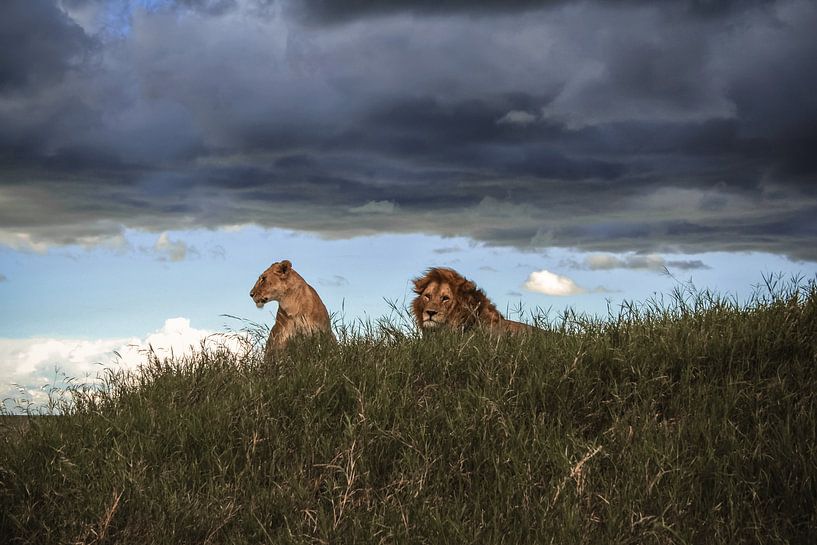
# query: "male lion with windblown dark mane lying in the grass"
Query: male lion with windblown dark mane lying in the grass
447,299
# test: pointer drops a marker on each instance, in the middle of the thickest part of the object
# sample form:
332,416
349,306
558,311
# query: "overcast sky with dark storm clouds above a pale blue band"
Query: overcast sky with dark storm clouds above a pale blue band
592,137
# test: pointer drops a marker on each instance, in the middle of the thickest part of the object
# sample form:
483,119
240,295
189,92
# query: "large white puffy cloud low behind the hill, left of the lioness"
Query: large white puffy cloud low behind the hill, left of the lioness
29,366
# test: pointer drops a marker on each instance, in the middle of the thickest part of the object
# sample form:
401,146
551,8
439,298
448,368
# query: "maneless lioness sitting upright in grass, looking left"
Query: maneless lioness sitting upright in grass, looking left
300,309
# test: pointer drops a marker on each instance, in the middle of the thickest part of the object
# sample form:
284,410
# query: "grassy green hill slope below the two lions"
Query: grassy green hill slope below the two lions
692,420
